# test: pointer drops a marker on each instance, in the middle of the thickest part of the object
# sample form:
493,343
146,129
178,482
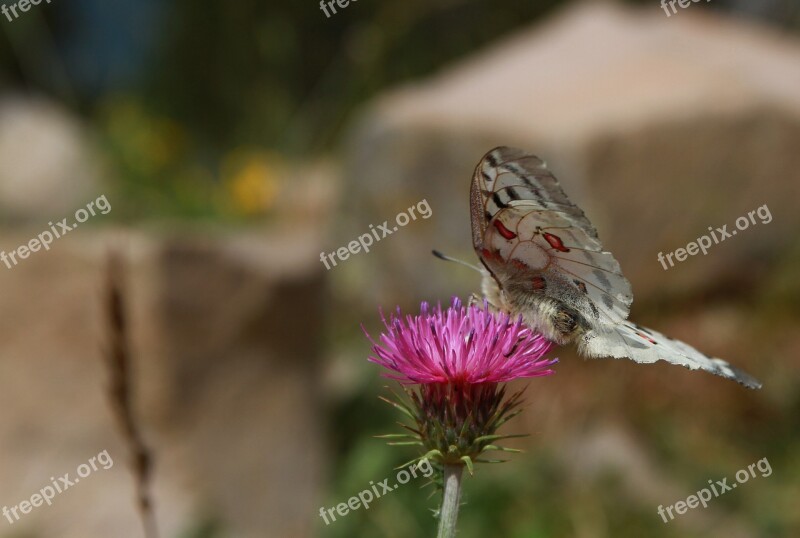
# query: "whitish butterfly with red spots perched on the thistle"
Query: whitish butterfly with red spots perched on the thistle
542,260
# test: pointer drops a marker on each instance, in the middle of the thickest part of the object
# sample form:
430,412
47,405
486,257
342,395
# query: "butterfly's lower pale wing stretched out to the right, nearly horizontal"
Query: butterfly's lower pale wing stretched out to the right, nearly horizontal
647,345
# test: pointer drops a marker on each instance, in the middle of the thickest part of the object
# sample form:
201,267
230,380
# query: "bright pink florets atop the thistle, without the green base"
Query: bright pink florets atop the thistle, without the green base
460,345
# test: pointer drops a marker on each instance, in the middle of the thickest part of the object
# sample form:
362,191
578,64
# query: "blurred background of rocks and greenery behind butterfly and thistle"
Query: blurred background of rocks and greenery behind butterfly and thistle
236,142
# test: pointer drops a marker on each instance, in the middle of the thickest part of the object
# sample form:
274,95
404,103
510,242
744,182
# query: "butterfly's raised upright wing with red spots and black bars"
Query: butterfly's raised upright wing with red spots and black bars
523,225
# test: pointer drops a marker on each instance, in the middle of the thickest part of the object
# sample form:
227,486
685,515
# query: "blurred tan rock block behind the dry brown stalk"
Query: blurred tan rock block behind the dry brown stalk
226,337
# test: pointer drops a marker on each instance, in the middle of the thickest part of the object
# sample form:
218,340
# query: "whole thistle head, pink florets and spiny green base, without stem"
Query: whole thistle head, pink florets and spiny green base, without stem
457,359
